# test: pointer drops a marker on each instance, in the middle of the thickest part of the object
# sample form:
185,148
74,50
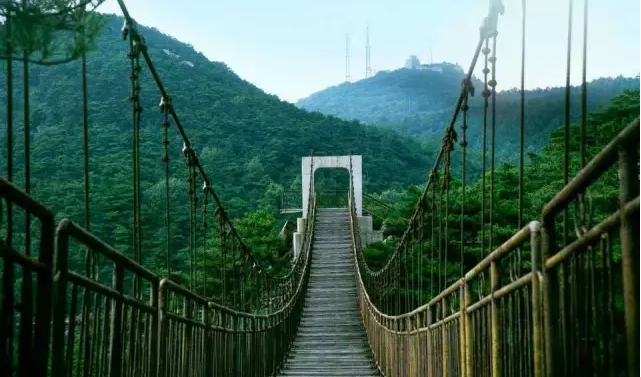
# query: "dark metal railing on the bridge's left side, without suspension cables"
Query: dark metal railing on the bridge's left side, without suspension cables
100,329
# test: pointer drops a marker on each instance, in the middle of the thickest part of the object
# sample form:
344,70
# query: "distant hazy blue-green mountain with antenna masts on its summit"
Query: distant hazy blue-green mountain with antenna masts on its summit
420,102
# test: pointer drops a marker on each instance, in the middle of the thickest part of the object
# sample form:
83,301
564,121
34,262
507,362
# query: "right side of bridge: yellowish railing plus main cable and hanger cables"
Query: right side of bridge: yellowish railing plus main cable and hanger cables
571,308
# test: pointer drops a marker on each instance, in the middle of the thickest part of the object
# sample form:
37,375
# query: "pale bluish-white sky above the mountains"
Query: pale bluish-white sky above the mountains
293,48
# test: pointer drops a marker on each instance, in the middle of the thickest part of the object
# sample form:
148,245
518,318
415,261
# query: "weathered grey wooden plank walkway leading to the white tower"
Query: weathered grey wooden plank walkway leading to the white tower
331,340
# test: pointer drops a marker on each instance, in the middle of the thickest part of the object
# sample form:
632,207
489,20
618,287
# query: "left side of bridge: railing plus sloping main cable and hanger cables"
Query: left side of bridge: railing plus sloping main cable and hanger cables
118,318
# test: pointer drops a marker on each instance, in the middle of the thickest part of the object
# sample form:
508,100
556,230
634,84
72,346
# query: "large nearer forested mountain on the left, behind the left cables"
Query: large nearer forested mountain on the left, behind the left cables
249,142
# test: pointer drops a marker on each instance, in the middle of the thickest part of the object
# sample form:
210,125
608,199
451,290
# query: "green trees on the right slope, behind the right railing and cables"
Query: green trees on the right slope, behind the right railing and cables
543,178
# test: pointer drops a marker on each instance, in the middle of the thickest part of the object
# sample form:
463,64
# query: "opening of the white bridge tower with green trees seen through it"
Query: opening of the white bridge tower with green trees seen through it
331,186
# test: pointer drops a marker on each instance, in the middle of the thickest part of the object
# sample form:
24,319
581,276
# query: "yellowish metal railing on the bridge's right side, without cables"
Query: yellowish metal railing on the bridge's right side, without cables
464,325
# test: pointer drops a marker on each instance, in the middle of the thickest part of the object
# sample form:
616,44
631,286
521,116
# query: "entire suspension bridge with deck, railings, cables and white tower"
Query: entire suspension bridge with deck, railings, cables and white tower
559,297
